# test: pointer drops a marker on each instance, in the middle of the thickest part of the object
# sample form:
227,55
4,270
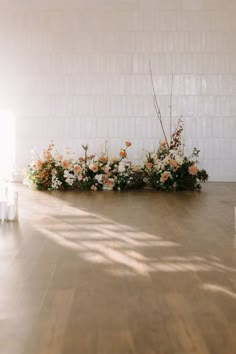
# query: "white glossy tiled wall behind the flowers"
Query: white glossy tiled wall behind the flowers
76,71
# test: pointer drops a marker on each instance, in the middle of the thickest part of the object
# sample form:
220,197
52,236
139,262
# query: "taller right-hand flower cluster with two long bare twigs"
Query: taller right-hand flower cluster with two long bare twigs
168,168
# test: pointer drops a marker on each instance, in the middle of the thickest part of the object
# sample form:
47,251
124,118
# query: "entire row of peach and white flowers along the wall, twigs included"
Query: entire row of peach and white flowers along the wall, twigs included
166,169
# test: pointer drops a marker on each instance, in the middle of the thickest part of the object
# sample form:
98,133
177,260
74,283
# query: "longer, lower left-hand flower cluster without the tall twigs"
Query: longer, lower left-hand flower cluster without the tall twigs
53,171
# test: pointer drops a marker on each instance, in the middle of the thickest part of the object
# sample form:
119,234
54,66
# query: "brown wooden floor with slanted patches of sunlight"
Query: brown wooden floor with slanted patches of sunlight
120,273
